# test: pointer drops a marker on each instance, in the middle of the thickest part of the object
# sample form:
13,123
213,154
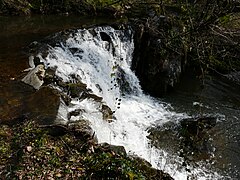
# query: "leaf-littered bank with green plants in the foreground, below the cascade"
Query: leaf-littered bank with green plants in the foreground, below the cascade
30,151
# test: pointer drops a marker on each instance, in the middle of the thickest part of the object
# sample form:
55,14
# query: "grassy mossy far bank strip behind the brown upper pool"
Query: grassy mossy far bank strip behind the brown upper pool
83,7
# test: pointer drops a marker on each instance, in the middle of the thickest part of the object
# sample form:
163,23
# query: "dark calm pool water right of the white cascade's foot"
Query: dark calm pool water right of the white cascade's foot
218,98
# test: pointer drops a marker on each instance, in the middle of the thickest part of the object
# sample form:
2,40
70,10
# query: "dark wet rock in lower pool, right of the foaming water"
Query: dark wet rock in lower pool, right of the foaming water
192,138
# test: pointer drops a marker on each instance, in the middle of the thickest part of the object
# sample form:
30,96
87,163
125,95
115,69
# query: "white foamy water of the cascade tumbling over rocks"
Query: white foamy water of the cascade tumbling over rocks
101,58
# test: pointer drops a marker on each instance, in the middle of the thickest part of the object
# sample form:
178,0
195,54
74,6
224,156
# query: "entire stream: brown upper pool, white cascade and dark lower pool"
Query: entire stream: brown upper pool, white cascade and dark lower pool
135,112
